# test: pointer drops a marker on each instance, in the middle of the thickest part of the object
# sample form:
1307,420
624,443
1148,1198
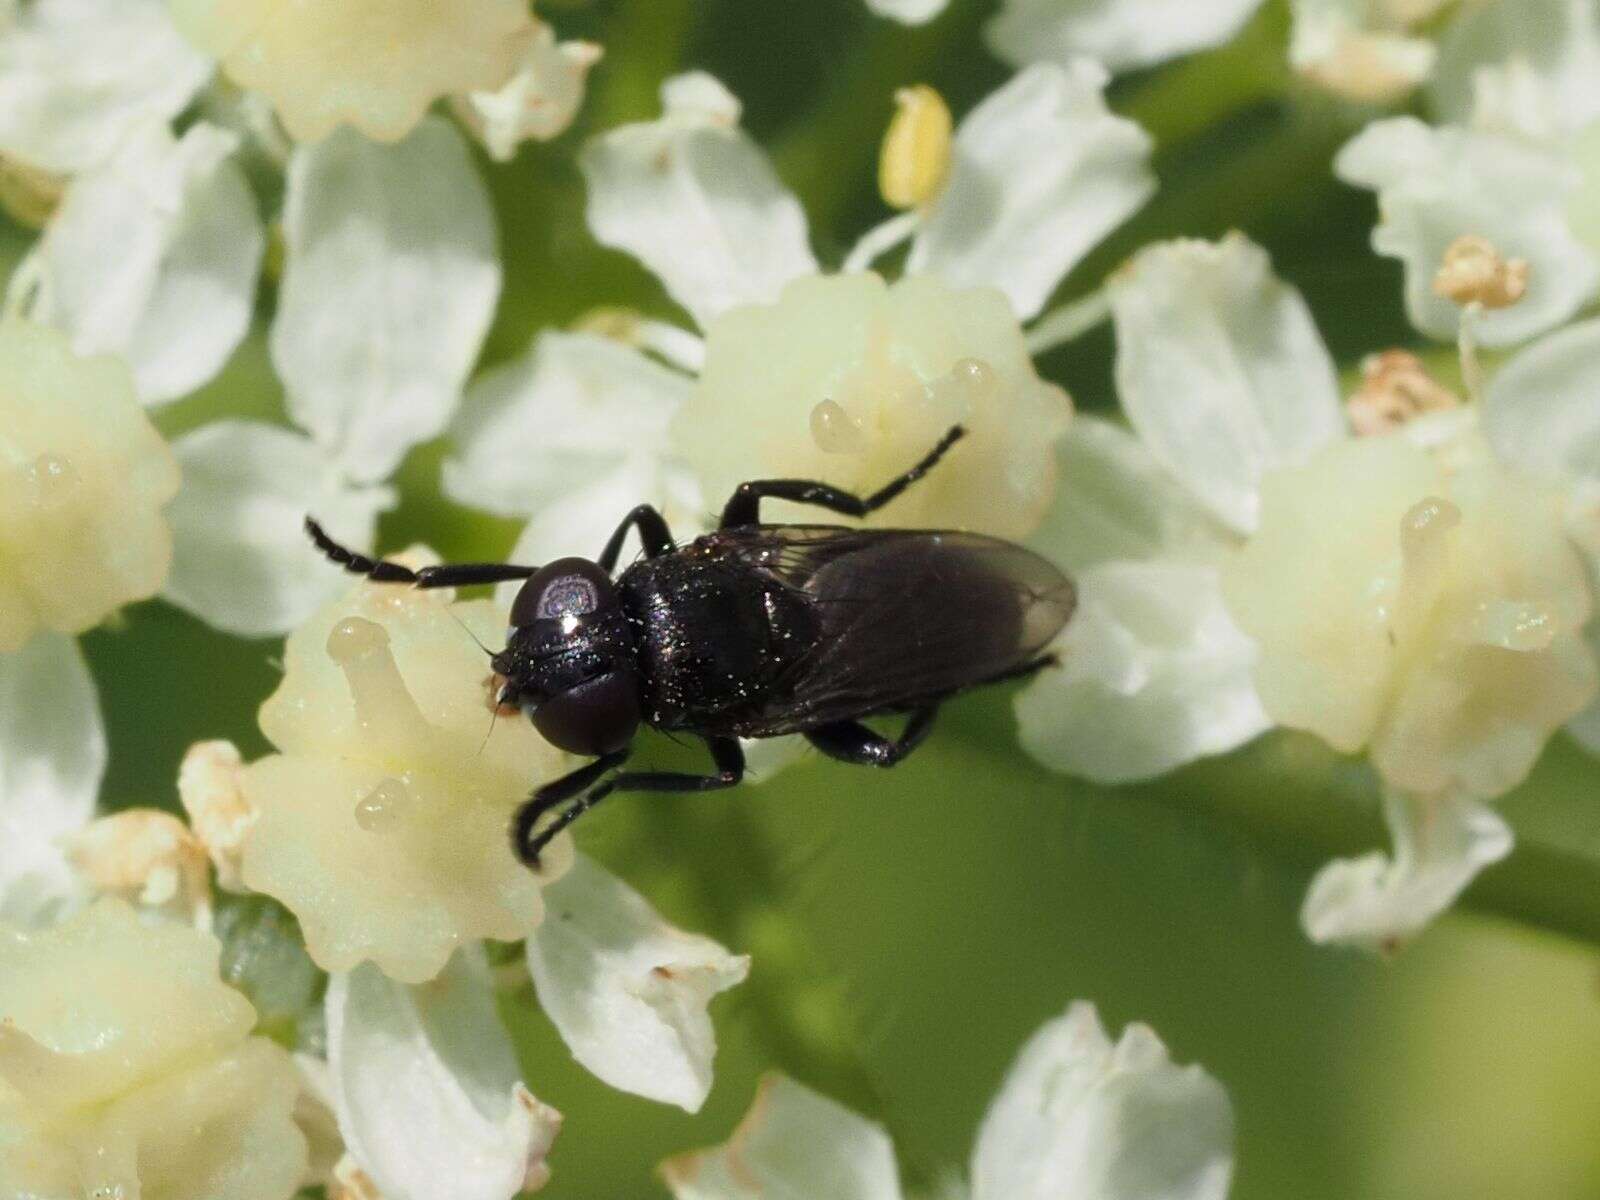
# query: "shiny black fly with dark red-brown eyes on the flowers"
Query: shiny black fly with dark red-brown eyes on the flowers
753,631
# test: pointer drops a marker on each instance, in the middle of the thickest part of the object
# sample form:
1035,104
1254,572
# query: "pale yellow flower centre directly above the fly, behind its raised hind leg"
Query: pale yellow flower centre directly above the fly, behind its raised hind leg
852,380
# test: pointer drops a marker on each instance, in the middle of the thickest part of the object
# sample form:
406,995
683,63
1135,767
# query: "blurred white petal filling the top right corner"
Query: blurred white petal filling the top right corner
1553,46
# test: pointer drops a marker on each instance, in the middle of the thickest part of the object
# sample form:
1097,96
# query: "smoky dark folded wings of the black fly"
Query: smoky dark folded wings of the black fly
902,617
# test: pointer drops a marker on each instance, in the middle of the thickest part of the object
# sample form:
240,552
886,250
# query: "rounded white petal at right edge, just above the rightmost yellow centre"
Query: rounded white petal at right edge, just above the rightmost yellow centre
1543,412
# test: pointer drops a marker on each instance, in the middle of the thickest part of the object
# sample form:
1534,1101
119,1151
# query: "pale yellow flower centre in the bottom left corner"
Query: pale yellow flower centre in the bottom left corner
127,1068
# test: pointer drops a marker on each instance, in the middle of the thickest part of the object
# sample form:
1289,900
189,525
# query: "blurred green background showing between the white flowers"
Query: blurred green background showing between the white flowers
913,929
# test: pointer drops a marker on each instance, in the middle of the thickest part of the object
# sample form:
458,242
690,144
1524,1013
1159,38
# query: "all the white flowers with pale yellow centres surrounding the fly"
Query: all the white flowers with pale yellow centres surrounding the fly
1412,578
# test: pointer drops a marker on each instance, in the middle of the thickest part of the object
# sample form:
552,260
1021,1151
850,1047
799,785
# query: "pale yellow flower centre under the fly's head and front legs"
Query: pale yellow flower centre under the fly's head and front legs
383,822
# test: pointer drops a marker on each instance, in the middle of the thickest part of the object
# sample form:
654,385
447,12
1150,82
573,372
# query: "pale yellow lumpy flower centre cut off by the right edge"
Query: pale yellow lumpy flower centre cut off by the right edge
1430,615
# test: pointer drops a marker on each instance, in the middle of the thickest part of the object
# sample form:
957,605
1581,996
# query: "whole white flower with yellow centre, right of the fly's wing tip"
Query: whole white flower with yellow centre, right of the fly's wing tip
1420,593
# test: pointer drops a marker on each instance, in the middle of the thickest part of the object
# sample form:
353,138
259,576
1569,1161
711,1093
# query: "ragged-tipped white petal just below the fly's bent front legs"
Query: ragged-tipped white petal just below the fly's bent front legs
628,991
